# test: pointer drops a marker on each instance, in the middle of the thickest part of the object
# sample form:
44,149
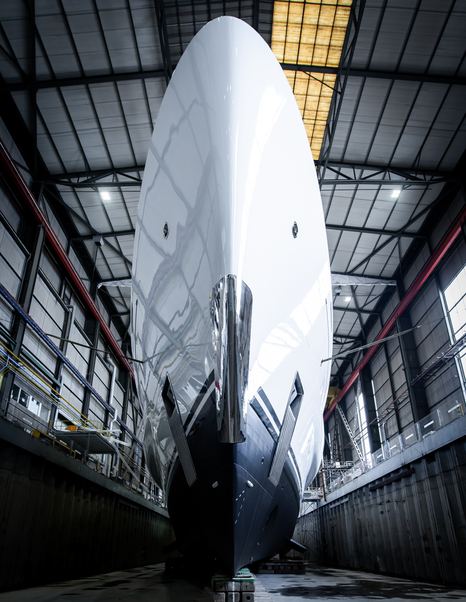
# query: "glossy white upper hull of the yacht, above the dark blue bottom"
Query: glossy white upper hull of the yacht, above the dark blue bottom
229,171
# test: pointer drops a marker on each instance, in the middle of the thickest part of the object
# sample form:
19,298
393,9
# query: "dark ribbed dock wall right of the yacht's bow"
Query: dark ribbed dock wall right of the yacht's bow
414,526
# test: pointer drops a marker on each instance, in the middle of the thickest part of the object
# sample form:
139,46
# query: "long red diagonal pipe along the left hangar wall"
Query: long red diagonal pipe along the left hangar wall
9,168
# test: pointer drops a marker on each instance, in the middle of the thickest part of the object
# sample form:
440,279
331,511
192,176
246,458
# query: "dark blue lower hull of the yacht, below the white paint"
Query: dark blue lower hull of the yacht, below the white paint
232,516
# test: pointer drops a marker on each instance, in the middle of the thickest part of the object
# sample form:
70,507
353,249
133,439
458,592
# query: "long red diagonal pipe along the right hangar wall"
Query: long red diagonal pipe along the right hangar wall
411,293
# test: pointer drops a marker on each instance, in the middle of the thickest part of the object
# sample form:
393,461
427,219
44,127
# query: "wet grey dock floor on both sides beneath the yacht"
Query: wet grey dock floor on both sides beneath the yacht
150,583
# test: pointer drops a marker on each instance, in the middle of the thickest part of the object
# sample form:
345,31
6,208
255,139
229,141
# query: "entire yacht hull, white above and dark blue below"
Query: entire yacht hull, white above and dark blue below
231,301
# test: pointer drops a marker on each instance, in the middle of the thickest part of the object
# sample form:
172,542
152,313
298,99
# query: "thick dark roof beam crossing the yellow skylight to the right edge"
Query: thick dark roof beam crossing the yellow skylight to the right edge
432,78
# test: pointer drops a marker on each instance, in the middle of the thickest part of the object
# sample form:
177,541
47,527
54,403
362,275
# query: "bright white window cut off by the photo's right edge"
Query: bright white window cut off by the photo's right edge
455,306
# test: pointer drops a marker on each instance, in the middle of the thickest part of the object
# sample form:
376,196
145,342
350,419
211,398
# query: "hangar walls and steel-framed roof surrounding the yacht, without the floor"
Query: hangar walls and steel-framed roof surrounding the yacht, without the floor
380,86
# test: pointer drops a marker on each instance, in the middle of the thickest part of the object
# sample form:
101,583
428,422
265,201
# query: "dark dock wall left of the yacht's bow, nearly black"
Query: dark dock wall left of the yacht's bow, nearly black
55,525
